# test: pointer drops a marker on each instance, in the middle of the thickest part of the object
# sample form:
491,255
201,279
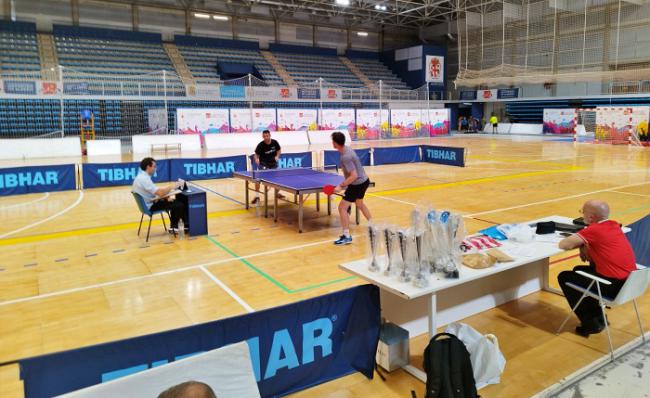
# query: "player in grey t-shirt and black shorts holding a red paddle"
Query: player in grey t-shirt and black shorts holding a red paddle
356,182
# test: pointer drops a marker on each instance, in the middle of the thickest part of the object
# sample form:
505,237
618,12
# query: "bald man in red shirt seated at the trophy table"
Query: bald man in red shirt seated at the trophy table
610,256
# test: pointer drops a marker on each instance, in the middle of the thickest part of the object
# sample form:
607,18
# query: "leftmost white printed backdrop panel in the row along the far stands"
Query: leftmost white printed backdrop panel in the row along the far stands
202,120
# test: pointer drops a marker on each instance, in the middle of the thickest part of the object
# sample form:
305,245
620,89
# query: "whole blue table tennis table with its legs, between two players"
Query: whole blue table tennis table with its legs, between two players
298,181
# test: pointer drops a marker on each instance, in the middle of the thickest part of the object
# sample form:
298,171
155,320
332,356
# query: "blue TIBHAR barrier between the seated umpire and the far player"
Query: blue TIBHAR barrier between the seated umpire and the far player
206,169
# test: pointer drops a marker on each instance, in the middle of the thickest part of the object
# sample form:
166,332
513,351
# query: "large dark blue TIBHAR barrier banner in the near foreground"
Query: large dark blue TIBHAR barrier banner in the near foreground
292,347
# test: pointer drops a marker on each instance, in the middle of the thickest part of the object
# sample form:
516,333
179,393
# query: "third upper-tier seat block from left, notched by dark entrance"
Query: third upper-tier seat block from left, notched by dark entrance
202,54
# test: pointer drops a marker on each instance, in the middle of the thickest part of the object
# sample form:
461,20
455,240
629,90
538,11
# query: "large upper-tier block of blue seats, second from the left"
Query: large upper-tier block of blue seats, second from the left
106,59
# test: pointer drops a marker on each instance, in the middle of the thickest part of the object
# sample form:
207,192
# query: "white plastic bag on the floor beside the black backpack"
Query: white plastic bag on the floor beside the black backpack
487,360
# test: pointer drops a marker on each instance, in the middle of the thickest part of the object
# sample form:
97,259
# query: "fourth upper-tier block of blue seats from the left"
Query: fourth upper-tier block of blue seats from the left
307,68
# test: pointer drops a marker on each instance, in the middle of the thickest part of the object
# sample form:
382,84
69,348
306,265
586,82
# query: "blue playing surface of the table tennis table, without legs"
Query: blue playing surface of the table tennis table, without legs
295,179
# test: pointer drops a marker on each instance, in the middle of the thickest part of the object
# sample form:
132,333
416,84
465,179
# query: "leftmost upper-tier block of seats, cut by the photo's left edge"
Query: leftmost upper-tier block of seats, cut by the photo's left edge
19,50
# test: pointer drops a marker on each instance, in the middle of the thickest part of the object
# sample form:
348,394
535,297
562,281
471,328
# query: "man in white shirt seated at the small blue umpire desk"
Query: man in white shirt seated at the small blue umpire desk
153,196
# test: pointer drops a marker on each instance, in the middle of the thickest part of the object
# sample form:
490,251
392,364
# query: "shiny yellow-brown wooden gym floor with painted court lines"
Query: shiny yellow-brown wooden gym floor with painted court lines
73,272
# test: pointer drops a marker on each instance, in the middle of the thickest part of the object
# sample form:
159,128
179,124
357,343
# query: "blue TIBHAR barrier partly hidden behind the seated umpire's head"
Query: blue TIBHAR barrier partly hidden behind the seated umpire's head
97,175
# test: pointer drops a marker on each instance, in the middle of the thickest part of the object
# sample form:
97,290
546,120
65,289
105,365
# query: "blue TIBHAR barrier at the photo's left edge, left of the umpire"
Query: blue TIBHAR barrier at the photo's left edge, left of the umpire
36,179
